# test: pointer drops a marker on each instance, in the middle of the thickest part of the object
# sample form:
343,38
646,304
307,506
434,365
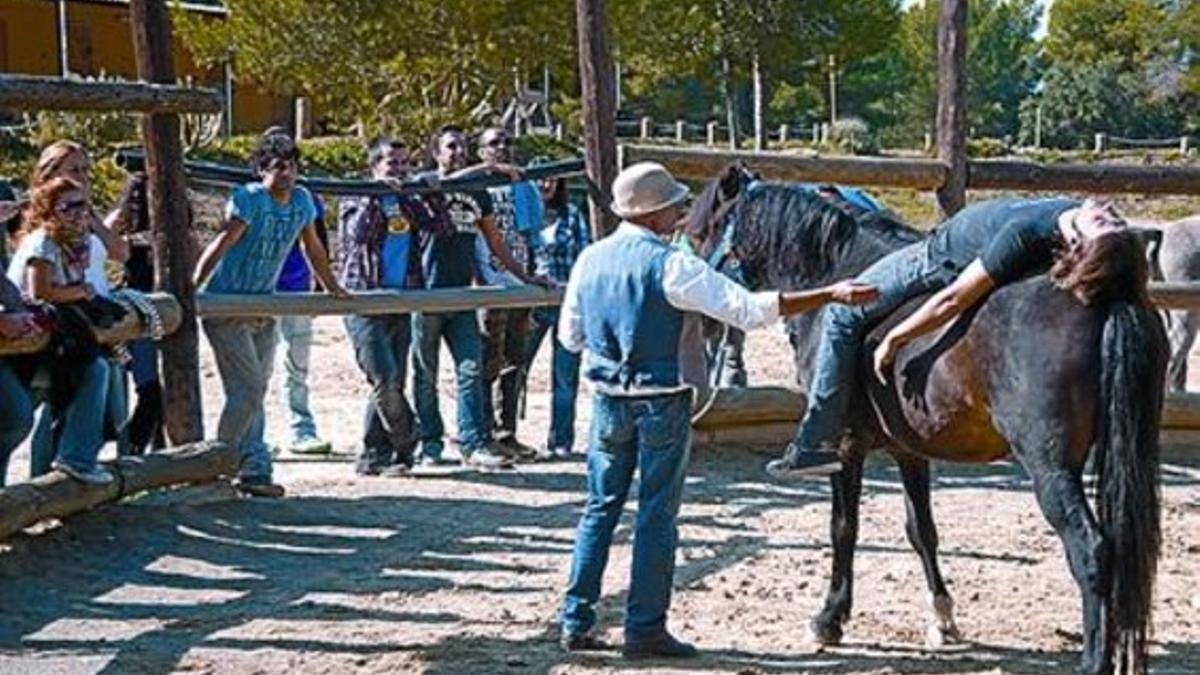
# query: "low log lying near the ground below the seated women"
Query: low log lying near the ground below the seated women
56,495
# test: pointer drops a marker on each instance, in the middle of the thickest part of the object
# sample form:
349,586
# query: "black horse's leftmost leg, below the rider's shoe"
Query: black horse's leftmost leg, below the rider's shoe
848,489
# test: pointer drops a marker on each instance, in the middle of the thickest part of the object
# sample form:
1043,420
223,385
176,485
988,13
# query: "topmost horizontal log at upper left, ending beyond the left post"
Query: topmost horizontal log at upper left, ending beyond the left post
31,93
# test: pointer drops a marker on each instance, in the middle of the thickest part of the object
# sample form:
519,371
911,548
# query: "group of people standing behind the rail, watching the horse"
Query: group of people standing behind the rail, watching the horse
518,234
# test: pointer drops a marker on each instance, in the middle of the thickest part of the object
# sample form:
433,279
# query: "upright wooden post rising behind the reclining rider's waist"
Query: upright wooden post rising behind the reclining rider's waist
952,105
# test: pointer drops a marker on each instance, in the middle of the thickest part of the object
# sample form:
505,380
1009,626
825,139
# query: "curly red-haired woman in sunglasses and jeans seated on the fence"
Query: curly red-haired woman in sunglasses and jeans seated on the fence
50,266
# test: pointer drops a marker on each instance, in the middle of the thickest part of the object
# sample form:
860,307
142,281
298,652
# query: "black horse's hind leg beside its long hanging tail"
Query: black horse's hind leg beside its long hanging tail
1061,498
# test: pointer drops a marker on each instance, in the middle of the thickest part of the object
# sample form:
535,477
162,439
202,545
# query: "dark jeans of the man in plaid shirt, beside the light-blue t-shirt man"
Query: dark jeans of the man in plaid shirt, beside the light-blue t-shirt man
381,348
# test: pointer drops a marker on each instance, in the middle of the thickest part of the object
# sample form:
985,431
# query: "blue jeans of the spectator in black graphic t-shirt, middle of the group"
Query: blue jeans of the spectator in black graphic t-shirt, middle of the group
461,333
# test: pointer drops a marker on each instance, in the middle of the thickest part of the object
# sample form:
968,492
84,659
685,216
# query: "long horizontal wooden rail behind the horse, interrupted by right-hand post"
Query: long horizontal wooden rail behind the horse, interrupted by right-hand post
705,164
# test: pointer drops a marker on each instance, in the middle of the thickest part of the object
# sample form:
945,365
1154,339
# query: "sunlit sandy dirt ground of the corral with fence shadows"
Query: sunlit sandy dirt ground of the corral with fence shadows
463,572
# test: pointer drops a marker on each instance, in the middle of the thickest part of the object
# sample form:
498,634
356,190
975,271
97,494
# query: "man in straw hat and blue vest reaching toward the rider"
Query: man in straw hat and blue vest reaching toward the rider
625,309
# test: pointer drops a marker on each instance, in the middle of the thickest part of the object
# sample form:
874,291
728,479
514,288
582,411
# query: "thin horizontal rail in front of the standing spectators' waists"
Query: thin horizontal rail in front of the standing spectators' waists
214,306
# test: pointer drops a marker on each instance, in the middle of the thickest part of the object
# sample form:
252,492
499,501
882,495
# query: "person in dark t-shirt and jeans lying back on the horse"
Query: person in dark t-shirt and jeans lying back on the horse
986,246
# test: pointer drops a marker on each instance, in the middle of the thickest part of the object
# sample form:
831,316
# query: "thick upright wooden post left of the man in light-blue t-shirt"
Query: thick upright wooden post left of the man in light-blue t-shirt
175,248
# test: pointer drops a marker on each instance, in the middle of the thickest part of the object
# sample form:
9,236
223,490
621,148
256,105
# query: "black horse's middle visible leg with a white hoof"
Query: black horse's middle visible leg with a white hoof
923,536
